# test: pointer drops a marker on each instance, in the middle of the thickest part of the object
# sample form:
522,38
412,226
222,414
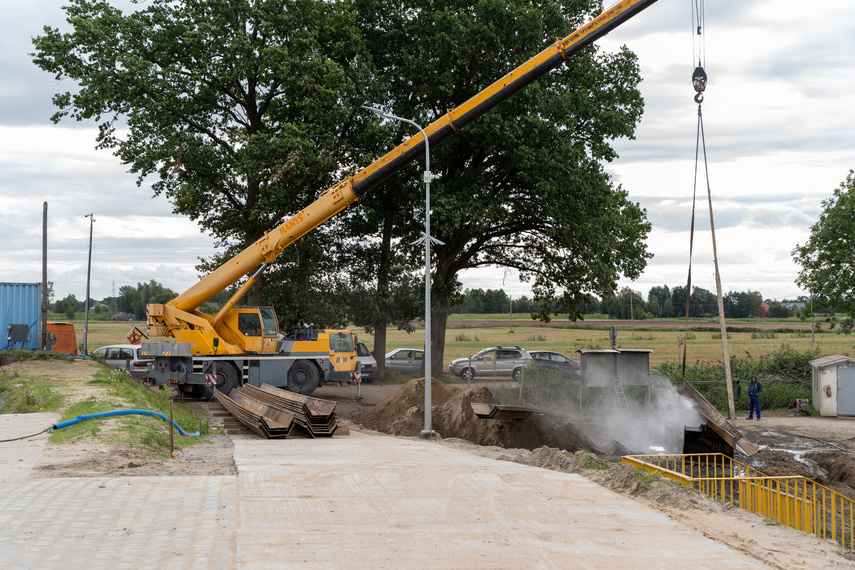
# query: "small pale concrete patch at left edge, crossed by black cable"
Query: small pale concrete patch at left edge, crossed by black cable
18,457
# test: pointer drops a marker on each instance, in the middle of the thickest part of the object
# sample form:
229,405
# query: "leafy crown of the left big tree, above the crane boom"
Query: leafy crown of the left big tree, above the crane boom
243,110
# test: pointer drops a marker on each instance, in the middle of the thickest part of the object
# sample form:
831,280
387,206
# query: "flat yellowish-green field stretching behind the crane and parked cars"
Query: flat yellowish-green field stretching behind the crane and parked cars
466,334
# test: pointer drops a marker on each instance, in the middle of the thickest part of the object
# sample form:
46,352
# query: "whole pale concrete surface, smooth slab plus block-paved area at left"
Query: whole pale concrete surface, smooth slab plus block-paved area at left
358,501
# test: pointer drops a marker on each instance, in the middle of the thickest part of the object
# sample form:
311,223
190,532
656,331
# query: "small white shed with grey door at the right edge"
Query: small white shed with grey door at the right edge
833,385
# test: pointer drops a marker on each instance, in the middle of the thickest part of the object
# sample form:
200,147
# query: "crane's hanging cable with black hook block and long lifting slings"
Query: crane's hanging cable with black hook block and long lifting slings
699,83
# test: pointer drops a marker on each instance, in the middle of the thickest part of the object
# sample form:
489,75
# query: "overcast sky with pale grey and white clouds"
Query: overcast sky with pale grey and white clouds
778,116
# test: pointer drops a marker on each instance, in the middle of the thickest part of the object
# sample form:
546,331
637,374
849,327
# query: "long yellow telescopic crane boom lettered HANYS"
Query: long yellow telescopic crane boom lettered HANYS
352,188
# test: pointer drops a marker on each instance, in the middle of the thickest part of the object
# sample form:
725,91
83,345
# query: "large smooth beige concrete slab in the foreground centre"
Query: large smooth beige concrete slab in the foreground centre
370,501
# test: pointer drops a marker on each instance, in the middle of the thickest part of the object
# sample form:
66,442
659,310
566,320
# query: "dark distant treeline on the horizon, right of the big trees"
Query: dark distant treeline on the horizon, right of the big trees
661,302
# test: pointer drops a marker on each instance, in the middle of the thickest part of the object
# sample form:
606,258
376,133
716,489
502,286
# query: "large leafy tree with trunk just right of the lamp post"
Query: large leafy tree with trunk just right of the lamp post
524,186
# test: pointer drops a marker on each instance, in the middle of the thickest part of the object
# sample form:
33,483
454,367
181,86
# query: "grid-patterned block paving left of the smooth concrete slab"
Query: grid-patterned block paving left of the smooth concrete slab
122,522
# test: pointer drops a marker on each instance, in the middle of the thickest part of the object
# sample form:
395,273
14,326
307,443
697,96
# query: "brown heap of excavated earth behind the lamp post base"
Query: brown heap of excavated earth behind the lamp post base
452,416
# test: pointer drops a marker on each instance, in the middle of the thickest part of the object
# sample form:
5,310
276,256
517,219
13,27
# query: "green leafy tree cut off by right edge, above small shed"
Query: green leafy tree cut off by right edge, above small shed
827,260
